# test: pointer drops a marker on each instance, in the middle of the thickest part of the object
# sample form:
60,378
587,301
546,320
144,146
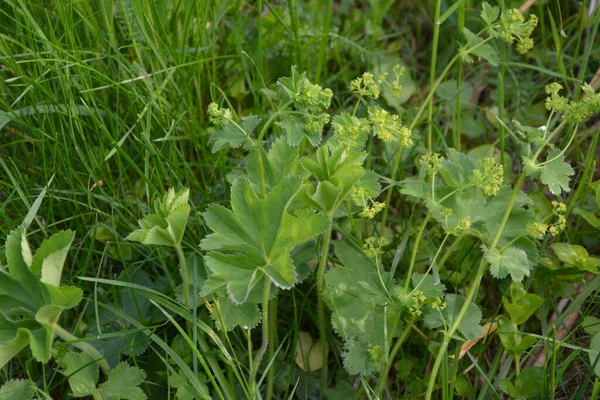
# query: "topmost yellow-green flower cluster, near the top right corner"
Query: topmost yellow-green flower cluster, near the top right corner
513,28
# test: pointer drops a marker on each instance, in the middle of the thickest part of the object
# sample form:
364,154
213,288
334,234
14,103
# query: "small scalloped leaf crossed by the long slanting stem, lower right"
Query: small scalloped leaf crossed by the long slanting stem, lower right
469,326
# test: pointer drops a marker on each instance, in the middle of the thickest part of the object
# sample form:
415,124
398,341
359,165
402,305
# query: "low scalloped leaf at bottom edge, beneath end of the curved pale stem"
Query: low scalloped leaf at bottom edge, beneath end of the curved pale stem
122,382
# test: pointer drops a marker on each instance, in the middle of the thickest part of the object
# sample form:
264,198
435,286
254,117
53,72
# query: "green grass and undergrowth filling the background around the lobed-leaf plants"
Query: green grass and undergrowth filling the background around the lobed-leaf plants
108,100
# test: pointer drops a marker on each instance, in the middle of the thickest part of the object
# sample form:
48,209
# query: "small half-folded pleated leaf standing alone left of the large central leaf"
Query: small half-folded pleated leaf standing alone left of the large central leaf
166,226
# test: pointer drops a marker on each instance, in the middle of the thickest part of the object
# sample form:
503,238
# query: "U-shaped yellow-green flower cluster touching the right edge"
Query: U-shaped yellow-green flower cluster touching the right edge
573,111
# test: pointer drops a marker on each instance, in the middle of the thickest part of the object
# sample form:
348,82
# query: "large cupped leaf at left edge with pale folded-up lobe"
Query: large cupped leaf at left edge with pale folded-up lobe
31,299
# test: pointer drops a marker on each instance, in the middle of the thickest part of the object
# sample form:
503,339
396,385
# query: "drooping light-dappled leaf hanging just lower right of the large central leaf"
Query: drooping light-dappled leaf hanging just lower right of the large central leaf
362,311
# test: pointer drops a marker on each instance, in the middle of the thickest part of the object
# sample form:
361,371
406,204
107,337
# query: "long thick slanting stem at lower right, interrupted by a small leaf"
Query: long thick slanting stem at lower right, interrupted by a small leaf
474,286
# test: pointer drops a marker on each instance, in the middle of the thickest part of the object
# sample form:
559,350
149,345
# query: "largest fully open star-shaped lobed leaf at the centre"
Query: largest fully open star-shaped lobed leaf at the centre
258,234
